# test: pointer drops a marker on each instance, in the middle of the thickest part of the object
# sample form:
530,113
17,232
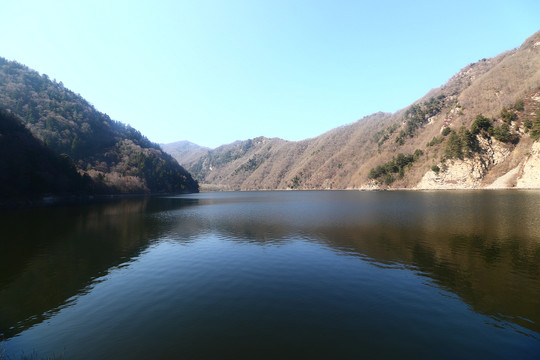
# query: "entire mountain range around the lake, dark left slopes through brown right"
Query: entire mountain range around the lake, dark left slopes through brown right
479,130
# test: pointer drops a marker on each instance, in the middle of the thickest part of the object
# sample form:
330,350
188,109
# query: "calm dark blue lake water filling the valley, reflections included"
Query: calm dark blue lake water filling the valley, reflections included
275,275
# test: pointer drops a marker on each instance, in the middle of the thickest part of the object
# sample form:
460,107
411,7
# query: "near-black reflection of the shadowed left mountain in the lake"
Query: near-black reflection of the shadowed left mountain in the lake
49,255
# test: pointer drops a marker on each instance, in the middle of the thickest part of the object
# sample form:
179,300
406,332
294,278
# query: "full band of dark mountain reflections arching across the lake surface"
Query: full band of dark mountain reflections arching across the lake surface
483,247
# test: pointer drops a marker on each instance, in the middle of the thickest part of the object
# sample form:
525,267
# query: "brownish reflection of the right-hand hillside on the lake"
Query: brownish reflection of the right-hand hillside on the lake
482,246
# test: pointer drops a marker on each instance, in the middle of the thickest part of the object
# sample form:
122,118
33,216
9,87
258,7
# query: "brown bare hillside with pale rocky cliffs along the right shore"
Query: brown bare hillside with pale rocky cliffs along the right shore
477,130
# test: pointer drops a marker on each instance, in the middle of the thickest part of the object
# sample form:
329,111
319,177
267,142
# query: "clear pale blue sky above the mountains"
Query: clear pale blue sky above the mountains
215,71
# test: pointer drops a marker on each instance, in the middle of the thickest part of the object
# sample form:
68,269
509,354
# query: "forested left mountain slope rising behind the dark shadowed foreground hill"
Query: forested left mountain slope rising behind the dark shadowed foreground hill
118,158
